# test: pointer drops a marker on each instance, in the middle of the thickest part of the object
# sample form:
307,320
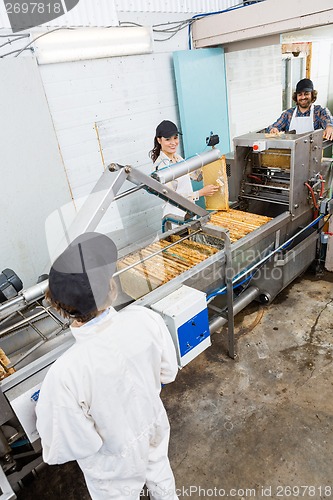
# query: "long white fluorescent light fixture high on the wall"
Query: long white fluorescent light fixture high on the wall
76,44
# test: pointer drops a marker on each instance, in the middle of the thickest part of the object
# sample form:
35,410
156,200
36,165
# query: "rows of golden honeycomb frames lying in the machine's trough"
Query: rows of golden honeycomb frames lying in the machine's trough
172,262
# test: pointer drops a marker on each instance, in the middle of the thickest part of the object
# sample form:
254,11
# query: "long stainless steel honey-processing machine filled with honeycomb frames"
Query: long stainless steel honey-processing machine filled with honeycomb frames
197,275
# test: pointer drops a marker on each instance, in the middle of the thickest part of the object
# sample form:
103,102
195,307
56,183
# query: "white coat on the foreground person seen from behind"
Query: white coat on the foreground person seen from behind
100,405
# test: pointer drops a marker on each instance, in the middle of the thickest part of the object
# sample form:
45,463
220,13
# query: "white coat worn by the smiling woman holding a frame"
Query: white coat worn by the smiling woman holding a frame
182,185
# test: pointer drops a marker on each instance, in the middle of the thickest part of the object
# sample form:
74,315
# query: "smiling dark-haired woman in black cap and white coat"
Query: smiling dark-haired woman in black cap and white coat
163,154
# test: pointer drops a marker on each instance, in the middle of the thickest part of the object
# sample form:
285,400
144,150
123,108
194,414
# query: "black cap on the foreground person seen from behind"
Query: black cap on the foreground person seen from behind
80,276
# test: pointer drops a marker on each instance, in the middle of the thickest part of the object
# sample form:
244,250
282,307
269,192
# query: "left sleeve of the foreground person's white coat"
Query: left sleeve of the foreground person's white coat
66,431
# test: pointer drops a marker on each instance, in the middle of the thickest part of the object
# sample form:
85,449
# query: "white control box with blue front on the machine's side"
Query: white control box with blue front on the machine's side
186,316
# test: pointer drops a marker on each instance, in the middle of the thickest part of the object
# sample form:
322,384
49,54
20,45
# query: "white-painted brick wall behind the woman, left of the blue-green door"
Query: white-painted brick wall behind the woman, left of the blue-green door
105,111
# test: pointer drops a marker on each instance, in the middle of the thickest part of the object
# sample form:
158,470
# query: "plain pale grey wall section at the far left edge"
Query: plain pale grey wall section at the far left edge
33,178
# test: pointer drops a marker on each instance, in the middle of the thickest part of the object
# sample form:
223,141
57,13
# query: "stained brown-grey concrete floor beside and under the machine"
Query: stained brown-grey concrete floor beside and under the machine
254,427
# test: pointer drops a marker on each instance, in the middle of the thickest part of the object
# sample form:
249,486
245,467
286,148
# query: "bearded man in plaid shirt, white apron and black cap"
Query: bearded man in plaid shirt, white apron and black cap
306,116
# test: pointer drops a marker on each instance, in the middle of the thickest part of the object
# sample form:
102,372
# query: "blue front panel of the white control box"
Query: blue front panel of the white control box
194,331
